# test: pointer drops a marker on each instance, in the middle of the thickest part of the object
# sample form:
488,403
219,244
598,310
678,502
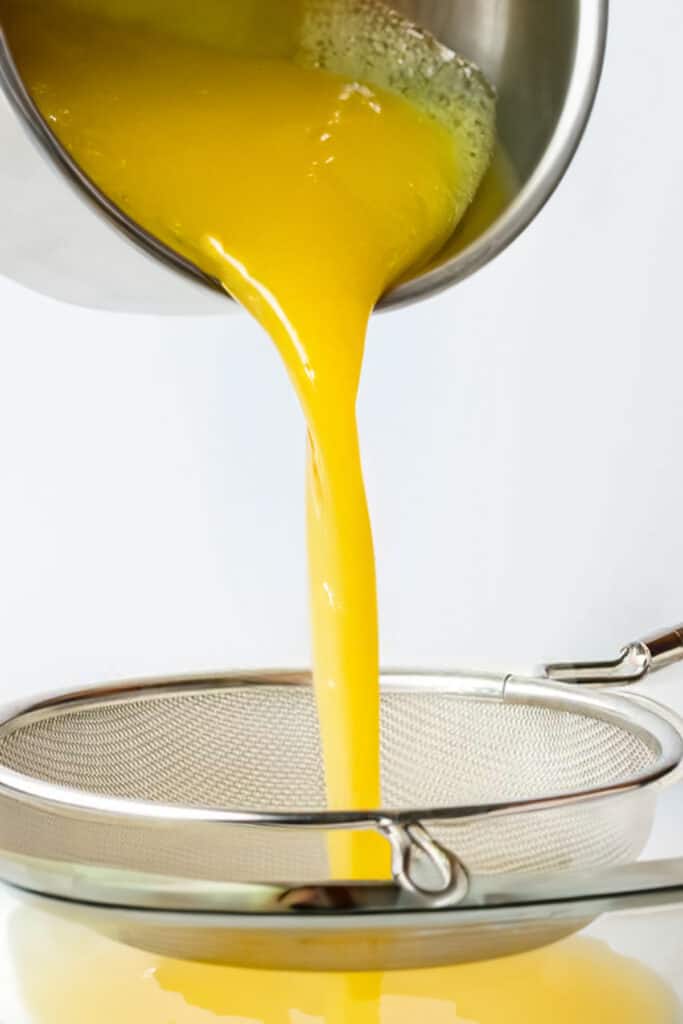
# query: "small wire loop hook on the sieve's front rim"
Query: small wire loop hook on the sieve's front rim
423,868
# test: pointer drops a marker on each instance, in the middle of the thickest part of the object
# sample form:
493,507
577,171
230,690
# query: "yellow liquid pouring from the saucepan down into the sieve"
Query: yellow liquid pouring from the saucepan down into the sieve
307,195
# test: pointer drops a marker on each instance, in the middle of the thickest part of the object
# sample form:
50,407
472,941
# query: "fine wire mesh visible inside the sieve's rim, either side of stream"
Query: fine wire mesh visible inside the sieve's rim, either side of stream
258,749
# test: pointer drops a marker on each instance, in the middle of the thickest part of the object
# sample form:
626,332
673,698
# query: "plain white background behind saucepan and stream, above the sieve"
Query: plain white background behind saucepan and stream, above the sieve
523,442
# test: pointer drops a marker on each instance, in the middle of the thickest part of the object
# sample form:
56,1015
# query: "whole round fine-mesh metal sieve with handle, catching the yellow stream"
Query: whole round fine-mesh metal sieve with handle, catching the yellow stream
188,817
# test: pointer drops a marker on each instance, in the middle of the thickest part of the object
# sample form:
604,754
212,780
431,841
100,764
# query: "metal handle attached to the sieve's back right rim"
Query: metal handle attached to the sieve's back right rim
634,662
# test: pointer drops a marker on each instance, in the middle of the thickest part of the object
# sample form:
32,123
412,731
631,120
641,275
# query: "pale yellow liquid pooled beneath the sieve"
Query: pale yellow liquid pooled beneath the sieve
70,976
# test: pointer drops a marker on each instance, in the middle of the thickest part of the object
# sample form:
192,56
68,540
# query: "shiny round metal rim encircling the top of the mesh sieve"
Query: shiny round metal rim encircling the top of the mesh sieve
614,708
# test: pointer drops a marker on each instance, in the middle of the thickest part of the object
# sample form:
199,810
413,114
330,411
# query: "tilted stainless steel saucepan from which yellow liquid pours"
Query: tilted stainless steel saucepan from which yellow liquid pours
545,60
